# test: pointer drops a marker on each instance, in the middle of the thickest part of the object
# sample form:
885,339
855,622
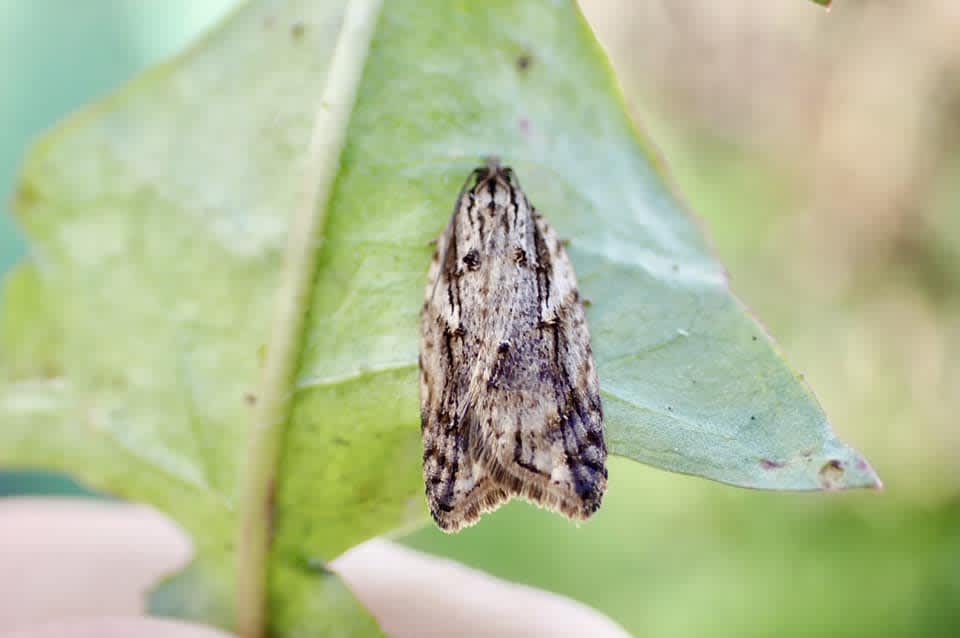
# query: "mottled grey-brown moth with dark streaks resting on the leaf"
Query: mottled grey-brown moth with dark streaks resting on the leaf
509,396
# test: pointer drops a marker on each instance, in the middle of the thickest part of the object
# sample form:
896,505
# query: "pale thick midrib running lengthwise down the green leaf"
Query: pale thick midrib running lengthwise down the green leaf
260,474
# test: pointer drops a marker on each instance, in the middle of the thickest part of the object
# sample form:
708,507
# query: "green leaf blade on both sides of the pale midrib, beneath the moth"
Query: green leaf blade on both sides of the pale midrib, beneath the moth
131,345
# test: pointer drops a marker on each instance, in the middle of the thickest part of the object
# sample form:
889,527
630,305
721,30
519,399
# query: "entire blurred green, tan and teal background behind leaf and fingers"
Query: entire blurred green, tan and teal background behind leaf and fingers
821,150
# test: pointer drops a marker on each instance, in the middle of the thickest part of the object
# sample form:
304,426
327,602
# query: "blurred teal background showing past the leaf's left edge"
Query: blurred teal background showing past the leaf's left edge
86,50
